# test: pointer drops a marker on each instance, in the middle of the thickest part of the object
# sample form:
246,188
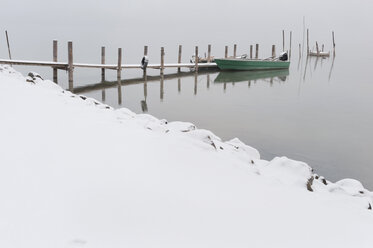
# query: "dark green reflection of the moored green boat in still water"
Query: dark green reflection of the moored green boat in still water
241,76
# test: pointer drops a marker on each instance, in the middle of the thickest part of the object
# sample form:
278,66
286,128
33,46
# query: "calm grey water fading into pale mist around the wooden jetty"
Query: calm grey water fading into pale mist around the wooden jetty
319,112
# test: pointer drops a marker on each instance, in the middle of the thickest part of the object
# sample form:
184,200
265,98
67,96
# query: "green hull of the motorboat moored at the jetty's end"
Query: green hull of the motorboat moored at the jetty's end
250,64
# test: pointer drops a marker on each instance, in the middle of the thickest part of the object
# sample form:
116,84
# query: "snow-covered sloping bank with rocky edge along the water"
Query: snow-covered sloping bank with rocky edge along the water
77,173
